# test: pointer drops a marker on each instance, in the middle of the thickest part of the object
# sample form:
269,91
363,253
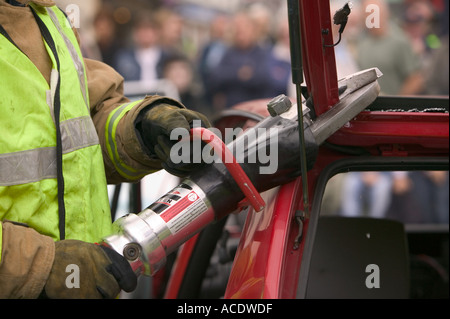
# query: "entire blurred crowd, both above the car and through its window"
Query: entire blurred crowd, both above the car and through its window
218,58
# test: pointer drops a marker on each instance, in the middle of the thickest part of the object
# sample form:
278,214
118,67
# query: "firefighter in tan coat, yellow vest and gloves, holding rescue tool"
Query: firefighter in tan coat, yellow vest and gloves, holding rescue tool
67,131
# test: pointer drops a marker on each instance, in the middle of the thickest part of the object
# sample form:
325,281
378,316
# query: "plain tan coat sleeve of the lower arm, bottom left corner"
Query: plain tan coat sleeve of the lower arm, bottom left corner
26,260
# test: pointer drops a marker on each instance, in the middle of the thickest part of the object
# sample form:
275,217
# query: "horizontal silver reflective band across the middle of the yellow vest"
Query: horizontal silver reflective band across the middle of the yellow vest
39,164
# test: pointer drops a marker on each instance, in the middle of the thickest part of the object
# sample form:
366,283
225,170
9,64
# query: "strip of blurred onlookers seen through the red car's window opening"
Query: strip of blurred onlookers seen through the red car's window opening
417,197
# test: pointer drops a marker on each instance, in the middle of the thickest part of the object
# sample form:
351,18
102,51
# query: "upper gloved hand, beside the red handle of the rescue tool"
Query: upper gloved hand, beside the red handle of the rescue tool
155,129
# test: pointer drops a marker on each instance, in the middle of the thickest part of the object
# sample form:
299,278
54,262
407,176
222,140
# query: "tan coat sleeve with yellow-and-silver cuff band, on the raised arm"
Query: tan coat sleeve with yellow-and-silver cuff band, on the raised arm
114,116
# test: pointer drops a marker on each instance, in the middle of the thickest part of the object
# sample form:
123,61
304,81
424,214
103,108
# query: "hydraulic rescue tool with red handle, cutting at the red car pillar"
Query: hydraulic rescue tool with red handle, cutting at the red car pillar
221,187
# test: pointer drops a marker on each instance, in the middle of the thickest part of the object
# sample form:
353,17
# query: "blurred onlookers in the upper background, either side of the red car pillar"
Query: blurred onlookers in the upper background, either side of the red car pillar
228,57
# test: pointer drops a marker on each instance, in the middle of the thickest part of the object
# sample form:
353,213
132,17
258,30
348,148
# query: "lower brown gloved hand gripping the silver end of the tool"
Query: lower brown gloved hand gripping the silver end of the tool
102,272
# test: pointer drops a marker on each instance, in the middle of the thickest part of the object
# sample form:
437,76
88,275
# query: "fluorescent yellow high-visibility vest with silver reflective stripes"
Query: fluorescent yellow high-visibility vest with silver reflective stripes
29,143
